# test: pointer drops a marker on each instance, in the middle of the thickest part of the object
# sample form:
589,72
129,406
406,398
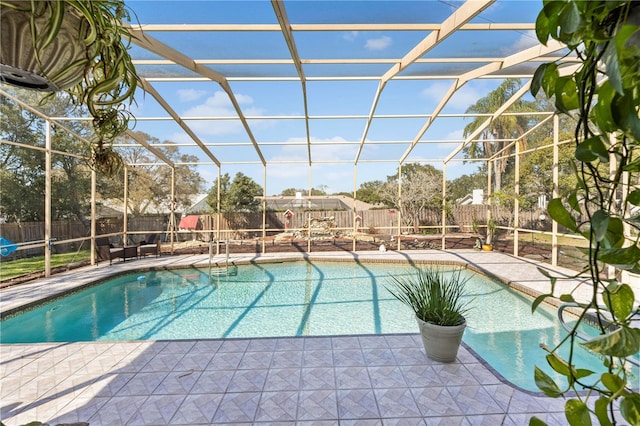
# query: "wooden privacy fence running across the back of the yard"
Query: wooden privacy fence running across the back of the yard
249,225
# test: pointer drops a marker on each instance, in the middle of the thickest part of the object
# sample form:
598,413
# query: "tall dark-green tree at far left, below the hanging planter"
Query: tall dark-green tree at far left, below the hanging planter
23,174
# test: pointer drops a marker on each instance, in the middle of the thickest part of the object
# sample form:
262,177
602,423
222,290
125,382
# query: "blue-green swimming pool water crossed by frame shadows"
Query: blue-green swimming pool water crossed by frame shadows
286,299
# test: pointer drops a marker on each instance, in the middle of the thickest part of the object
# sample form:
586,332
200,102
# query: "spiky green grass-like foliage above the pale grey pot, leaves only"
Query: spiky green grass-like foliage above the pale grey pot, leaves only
435,295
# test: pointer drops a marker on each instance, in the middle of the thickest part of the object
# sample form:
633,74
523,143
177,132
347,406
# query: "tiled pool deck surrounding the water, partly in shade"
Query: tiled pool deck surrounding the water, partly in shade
344,380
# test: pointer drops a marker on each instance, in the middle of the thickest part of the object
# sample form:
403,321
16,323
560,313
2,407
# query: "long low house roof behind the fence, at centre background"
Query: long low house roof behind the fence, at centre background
315,202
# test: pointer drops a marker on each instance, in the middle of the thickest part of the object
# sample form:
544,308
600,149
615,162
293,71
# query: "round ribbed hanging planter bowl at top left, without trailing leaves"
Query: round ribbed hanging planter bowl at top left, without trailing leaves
18,63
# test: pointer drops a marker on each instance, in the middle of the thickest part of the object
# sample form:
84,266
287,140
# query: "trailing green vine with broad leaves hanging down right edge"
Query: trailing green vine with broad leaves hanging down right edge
602,92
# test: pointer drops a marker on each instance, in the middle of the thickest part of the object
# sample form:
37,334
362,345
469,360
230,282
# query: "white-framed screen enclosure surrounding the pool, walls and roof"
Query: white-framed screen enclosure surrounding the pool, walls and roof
409,125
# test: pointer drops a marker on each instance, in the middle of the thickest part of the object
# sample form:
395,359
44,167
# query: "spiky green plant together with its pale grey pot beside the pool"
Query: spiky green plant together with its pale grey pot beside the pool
437,298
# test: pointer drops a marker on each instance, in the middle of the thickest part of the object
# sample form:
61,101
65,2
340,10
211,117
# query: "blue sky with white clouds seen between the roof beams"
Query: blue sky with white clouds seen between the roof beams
334,141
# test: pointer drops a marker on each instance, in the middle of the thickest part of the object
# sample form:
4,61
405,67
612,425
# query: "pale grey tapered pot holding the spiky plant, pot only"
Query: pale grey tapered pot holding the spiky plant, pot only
440,342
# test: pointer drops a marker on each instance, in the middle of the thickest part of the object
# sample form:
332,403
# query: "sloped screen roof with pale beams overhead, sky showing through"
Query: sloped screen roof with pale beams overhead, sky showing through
332,93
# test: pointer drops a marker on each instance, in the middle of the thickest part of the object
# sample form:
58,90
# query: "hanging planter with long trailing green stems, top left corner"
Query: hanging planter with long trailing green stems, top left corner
80,47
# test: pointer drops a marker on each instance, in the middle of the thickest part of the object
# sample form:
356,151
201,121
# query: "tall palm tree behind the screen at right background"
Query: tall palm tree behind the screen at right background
495,136
